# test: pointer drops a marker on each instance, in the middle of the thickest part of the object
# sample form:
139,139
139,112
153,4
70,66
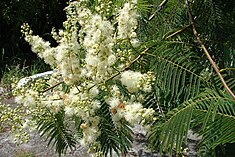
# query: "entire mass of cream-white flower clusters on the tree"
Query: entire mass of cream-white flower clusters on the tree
85,58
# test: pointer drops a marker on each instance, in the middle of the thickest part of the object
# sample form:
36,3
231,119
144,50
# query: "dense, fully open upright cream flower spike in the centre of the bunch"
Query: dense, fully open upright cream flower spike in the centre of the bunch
98,43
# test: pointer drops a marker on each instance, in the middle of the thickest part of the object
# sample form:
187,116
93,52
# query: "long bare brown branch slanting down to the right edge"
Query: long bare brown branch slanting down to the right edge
216,68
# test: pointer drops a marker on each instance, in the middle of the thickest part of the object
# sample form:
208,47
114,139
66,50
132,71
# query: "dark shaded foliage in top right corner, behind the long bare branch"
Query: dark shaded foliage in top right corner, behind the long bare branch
218,32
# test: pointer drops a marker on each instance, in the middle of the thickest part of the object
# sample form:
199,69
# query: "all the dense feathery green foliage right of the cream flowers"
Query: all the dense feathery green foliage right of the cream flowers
186,85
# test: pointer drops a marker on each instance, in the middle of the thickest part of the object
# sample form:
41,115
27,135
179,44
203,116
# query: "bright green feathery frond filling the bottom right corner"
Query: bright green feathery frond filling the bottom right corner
217,118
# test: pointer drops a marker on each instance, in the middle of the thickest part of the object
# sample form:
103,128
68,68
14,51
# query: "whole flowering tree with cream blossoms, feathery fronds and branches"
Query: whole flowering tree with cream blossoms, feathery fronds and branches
125,62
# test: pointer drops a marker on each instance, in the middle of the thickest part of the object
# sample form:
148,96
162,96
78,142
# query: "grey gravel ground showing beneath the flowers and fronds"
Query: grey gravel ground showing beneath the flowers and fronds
37,146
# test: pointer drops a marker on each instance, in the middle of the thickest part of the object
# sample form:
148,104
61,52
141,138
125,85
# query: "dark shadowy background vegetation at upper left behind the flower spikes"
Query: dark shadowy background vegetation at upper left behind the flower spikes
42,15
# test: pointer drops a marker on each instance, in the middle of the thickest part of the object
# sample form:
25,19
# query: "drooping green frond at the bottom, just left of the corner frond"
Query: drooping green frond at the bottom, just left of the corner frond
168,134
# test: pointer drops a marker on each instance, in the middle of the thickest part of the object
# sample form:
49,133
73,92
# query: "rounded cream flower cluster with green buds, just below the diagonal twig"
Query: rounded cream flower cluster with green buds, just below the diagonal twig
135,81
